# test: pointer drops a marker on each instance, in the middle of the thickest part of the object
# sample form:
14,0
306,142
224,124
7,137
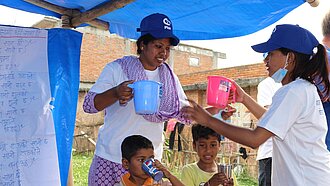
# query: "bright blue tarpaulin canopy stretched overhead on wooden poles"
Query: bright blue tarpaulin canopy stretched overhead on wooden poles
192,19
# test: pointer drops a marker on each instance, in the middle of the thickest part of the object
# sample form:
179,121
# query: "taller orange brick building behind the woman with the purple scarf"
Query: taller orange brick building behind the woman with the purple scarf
99,49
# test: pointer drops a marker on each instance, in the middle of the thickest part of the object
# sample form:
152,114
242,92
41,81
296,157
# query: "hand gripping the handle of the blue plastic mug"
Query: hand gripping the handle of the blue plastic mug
124,93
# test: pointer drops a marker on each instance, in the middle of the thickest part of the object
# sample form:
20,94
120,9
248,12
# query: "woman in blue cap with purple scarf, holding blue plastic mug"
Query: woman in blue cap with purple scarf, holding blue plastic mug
111,93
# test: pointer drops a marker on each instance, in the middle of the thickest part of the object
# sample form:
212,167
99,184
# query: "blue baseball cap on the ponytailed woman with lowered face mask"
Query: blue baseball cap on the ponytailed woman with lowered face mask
288,36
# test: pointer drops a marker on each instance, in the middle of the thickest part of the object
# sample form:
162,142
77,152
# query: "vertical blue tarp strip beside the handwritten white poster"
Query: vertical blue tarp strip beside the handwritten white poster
64,65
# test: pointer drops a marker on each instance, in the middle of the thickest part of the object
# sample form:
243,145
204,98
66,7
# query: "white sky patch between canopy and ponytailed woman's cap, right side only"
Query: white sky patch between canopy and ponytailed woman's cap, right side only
239,51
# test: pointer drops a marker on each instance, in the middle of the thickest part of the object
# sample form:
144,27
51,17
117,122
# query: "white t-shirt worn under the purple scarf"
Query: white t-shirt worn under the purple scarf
121,121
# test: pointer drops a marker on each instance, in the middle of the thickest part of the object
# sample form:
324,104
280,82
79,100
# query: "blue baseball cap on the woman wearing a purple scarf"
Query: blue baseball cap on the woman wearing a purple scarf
159,26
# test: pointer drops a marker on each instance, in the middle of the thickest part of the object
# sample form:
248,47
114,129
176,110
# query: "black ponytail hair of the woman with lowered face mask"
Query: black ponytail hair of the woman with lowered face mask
312,68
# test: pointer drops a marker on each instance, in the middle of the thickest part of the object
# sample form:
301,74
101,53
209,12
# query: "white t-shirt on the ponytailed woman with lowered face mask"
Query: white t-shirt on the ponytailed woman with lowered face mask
297,119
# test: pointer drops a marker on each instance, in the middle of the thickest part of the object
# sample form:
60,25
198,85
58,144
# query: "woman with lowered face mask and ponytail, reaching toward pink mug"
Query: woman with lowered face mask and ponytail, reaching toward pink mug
295,120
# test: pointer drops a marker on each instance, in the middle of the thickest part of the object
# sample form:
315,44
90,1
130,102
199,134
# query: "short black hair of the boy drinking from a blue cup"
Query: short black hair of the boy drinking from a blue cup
132,144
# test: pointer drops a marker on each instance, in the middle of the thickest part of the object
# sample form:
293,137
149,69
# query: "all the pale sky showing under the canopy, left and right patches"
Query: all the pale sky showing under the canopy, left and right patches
238,50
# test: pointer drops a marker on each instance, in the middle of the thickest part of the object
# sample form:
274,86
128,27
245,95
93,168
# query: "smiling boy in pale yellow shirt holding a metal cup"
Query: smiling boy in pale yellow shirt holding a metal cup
206,143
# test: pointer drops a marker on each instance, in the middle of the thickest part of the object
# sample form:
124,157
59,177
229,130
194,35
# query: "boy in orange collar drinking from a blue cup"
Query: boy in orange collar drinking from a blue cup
135,150
